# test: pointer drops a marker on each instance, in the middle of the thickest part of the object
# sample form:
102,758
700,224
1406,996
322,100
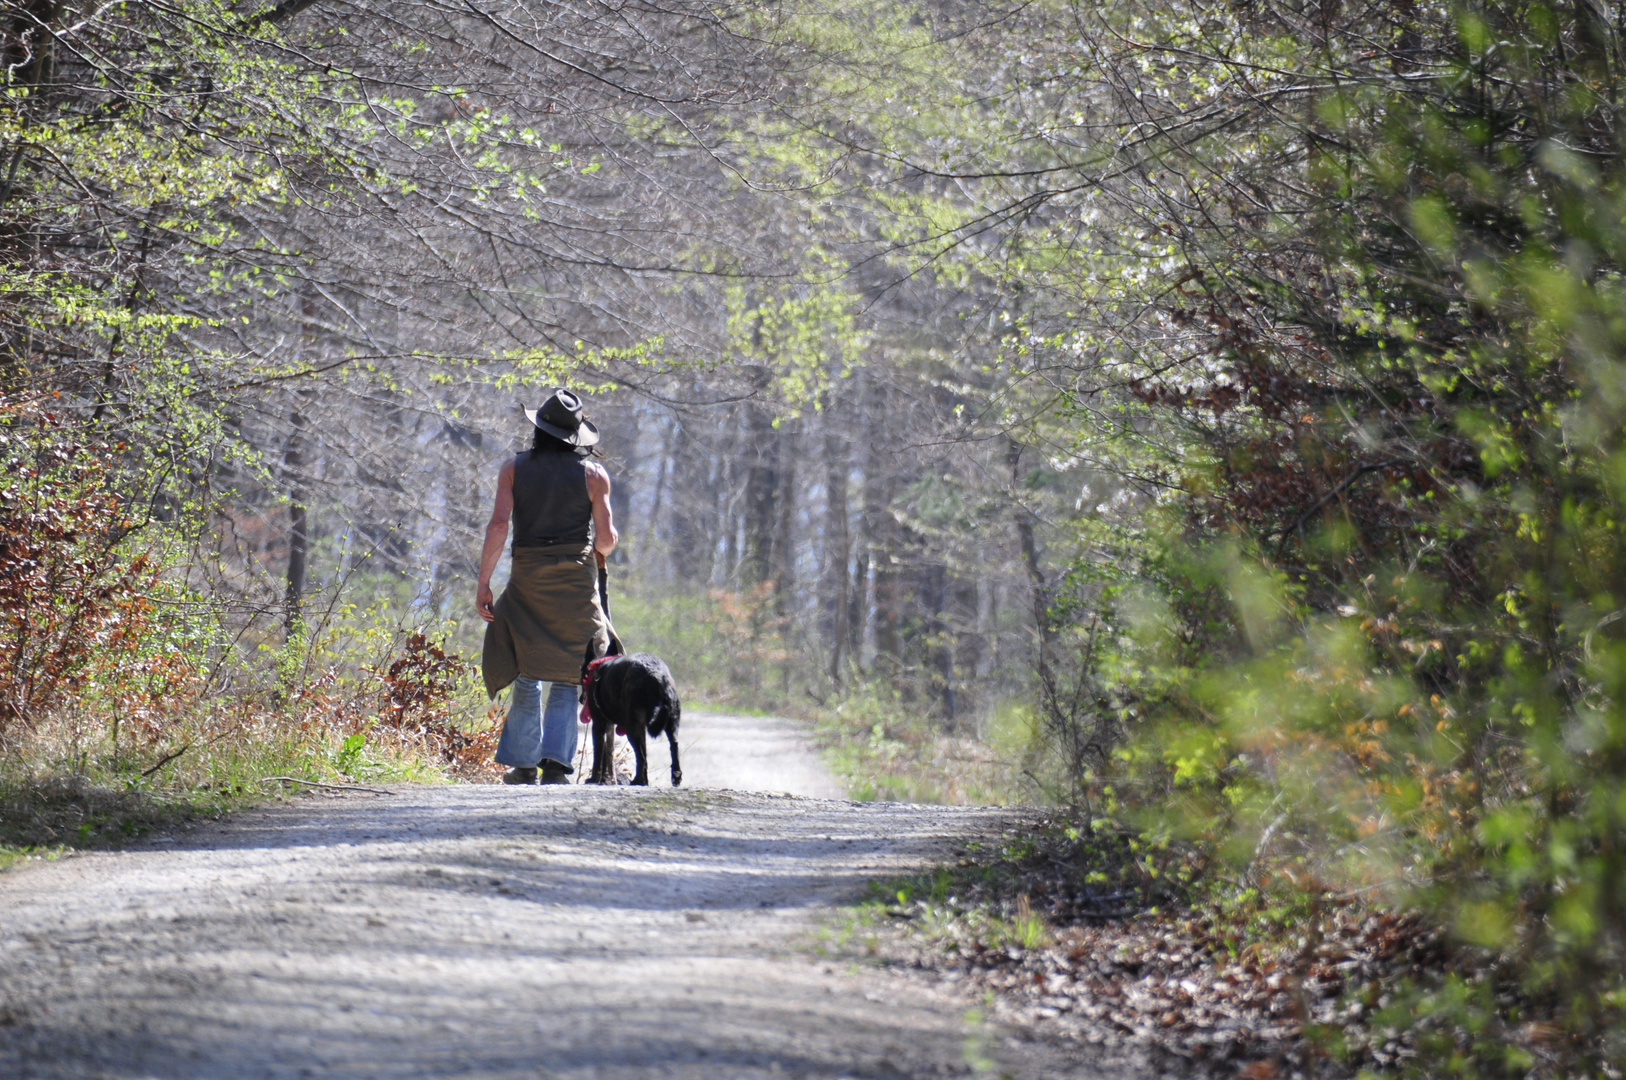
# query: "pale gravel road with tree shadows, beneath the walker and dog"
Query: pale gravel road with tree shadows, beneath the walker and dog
469,931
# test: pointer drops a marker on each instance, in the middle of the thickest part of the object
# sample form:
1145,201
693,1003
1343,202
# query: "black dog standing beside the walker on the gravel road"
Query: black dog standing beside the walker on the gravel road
635,694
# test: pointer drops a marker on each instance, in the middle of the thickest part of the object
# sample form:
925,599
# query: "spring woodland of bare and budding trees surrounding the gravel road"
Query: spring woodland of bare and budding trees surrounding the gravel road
1204,419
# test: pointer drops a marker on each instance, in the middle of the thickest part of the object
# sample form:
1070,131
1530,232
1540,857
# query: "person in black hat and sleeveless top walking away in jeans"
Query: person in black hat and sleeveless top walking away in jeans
539,630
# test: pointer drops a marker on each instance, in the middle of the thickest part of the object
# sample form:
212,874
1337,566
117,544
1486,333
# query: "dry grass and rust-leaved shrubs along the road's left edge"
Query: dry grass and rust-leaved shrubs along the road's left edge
126,707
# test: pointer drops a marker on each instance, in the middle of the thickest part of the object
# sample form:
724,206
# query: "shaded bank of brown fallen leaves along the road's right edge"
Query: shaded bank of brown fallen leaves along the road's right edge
1108,938
